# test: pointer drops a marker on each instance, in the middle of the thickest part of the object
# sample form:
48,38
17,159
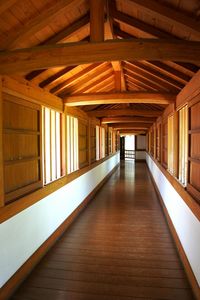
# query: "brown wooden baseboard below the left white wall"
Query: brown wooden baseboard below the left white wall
13,283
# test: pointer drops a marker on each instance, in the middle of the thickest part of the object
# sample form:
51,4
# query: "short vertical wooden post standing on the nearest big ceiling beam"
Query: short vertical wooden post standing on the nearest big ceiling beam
97,20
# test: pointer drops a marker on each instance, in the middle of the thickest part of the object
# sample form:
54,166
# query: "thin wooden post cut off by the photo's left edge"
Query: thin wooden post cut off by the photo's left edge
1,148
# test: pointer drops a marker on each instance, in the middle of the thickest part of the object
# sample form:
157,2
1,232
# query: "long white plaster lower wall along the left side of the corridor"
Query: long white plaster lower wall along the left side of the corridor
23,234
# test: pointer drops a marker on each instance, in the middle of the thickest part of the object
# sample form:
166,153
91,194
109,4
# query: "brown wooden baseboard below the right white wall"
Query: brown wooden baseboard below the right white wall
188,270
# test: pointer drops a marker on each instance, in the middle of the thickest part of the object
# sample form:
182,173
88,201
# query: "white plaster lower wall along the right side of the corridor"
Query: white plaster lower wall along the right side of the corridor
186,224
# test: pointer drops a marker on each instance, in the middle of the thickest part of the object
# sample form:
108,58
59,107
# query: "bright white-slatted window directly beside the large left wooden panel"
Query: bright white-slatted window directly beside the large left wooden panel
52,144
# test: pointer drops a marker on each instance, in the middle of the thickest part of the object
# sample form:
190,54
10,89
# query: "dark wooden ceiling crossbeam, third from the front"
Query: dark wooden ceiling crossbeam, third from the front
123,112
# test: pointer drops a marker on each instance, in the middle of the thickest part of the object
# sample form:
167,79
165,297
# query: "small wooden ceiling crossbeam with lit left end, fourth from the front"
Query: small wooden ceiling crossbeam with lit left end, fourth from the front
127,119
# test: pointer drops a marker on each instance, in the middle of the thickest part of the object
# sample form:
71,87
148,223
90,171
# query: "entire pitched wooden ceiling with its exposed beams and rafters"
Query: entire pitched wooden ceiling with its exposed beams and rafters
122,61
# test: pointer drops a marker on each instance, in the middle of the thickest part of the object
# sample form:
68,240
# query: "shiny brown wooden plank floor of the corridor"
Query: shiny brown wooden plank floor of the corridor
118,248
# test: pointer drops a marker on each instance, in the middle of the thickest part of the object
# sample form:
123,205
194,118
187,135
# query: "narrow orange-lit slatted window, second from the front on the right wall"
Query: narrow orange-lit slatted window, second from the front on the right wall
171,144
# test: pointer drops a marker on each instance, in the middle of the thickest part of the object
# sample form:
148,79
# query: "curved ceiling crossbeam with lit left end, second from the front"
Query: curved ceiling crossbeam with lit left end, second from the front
103,98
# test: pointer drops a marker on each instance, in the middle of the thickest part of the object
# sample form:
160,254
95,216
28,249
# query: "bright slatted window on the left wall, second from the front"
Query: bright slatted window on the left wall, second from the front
72,144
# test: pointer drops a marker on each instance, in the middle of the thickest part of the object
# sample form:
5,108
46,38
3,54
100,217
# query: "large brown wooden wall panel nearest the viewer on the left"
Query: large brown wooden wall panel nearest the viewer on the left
21,147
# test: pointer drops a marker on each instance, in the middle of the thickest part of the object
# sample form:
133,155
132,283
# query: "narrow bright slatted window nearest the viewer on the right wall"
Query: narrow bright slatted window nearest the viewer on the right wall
183,144
